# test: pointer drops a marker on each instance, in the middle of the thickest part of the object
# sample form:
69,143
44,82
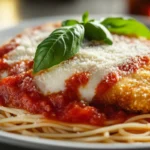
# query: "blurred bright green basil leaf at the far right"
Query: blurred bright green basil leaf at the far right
126,26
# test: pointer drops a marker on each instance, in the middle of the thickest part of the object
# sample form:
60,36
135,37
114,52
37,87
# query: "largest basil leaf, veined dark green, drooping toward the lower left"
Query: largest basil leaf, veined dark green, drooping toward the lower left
61,44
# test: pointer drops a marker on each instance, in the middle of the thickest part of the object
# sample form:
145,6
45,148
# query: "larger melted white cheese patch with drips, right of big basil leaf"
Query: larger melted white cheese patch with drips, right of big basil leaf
97,60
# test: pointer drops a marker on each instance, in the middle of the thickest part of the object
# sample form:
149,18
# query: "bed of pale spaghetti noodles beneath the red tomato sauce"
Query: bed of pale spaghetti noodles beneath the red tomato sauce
135,129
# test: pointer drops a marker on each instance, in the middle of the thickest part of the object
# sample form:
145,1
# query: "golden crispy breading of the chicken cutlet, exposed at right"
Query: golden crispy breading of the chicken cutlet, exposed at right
131,92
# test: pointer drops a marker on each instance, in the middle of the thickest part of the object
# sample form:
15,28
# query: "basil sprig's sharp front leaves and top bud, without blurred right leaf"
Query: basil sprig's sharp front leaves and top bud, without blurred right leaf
64,42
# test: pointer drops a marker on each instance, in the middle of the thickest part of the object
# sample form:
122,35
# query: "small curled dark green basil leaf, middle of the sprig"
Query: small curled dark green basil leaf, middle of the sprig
96,31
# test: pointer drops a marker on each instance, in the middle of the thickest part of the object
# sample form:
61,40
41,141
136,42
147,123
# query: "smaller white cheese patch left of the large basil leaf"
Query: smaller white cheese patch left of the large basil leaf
28,43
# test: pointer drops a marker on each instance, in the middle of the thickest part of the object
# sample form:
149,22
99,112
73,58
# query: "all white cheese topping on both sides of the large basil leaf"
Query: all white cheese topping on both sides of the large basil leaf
98,60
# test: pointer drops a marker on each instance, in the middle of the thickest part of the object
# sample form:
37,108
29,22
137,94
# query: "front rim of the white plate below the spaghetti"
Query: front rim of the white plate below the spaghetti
66,144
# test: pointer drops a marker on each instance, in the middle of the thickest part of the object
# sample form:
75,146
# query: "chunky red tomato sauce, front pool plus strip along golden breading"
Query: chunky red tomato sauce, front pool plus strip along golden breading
20,91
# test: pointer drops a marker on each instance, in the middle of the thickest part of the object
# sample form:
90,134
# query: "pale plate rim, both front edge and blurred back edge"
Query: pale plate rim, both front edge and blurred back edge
36,142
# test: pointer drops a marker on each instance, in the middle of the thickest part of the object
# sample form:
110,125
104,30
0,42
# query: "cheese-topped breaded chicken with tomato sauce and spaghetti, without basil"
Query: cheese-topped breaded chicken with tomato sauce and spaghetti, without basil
100,94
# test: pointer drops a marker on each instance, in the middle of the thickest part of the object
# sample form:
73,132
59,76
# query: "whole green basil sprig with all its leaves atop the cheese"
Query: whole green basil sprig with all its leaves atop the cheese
63,43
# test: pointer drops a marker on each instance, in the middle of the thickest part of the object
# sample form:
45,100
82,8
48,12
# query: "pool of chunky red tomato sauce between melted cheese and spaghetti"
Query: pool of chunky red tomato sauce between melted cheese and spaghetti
20,92
